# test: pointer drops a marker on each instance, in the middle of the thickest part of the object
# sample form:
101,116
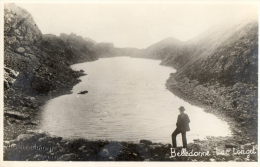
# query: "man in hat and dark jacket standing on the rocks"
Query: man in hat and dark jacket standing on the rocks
182,127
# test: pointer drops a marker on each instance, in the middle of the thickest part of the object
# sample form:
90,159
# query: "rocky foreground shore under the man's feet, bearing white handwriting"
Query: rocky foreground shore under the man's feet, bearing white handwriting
35,146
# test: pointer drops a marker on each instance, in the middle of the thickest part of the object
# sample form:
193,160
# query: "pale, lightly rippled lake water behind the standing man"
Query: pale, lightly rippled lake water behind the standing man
127,101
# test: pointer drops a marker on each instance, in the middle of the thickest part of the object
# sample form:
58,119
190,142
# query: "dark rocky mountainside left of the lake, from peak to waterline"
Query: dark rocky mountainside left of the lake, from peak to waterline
37,66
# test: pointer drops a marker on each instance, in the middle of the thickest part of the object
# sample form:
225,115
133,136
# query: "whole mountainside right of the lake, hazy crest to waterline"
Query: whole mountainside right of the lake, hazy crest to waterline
217,69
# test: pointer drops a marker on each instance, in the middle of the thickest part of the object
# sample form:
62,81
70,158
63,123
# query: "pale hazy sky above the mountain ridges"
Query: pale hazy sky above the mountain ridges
135,25
